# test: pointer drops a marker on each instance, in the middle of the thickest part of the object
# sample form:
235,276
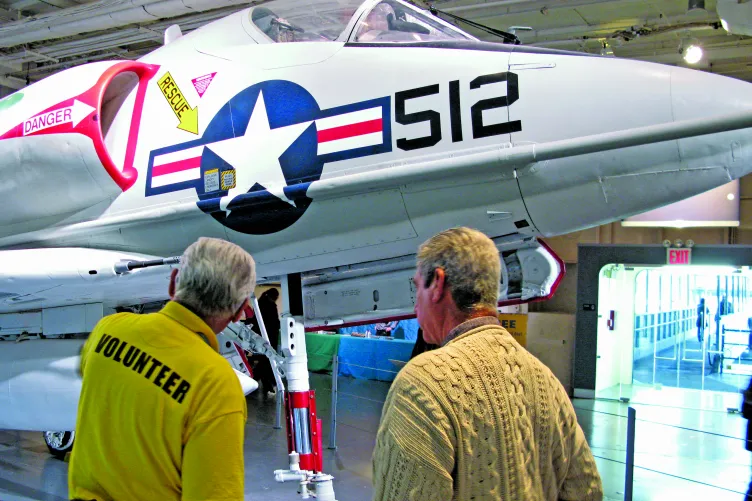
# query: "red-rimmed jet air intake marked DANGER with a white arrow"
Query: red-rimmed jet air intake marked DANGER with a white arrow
58,156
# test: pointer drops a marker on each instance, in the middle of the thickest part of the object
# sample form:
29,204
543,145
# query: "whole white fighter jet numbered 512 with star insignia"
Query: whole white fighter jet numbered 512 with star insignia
329,139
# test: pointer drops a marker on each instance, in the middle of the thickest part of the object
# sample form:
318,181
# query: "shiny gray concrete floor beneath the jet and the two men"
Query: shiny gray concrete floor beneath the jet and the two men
675,458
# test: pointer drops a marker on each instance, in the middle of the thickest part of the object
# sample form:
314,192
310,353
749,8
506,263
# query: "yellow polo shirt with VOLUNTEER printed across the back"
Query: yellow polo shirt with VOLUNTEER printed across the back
161,415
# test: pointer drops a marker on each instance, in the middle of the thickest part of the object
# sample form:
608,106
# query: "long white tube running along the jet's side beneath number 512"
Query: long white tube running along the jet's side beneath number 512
493,163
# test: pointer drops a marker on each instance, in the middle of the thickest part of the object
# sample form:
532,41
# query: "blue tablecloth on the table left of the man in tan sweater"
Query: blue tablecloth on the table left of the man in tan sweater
363,358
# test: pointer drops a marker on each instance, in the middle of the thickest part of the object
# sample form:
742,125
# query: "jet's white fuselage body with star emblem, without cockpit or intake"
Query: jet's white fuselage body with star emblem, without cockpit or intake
545,97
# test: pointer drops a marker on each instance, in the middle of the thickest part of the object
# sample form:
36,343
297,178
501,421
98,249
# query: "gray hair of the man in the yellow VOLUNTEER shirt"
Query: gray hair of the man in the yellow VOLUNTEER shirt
215,277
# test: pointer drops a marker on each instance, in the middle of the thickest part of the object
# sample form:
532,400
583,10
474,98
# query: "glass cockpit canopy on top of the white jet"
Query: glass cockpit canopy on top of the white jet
374,21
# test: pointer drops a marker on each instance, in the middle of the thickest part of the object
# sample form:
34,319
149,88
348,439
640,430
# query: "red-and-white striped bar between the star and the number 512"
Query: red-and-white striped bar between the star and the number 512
350,131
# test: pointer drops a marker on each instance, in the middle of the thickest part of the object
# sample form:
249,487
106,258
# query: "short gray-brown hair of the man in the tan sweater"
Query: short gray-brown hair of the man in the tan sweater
471,265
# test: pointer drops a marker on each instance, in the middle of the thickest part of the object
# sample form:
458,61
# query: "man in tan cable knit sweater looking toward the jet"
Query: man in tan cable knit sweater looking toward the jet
479,418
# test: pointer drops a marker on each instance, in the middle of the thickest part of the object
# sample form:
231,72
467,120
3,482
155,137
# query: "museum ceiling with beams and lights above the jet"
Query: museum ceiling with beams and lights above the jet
36,37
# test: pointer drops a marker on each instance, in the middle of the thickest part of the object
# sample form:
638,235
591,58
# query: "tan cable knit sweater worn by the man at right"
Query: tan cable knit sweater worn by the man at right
481,419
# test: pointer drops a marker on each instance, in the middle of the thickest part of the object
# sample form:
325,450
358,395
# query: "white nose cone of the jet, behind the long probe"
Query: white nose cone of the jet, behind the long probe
697,94
